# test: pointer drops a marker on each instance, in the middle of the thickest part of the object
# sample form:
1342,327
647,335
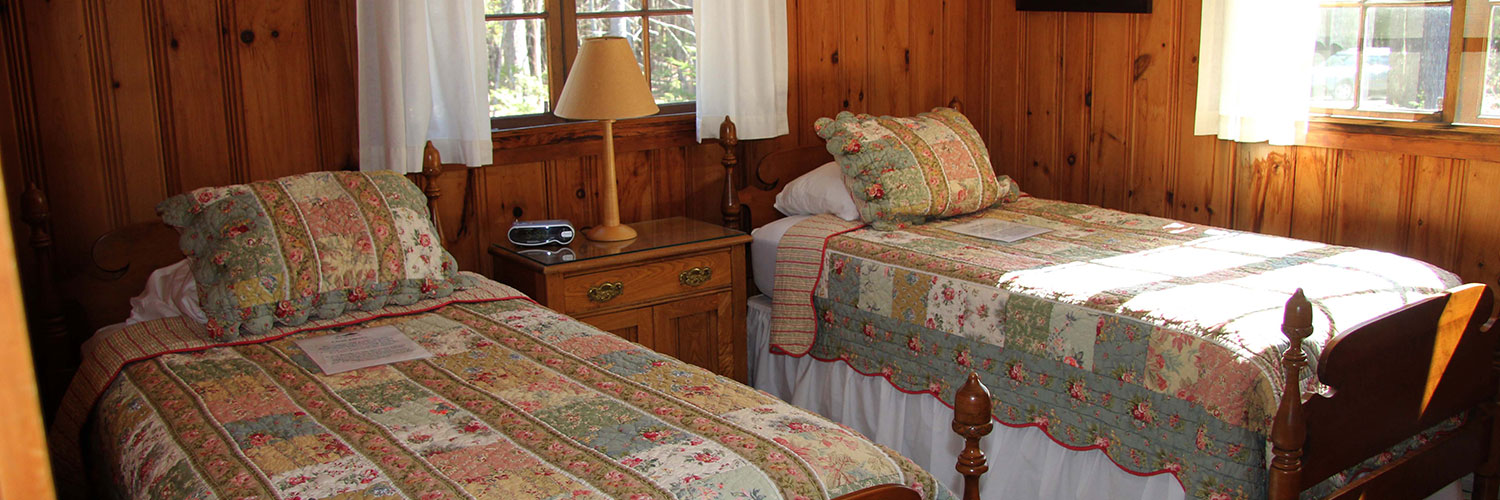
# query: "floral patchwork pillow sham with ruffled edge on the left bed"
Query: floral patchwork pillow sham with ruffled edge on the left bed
313,245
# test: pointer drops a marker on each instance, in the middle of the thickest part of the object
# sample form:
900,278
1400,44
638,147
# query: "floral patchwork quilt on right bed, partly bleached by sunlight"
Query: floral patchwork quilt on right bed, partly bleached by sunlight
1151,340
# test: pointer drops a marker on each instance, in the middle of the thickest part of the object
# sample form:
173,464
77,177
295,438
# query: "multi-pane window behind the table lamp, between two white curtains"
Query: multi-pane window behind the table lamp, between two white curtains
530,43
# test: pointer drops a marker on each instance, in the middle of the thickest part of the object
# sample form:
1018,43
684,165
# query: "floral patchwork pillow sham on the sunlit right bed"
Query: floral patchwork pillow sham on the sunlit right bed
904,172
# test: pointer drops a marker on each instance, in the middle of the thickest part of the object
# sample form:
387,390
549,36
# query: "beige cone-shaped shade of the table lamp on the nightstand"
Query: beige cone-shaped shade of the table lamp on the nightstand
605,83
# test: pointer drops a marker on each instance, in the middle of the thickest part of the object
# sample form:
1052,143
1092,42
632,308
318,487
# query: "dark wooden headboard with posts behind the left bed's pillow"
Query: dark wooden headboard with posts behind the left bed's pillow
67,309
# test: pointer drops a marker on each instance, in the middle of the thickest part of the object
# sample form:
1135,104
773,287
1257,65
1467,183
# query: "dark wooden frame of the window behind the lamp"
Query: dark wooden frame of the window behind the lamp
562,19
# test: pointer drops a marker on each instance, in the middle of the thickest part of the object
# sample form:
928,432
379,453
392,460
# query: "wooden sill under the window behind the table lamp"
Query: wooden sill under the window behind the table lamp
580,139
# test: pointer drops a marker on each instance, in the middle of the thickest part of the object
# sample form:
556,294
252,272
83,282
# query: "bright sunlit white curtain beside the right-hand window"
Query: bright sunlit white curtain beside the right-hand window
1255,70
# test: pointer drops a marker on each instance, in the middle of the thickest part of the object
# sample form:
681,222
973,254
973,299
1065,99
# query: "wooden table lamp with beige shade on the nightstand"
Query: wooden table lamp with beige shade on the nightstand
607,85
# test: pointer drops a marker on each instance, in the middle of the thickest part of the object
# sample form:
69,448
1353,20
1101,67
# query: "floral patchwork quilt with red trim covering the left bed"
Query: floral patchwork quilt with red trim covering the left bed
517,403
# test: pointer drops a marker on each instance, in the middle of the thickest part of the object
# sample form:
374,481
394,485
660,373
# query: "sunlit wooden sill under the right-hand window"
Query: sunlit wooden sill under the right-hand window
1406,137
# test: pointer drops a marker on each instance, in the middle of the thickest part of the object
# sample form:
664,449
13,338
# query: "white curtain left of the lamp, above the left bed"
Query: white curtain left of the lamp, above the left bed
422,77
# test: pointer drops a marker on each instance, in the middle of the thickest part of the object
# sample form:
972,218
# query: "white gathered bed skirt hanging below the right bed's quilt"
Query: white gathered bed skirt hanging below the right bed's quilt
1024,462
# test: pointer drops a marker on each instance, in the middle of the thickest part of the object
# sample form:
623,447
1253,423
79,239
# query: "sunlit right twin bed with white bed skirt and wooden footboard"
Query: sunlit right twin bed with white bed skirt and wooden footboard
1129,357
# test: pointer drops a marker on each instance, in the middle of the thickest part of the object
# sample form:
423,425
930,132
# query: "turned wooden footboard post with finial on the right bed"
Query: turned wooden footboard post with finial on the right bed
1289,432
